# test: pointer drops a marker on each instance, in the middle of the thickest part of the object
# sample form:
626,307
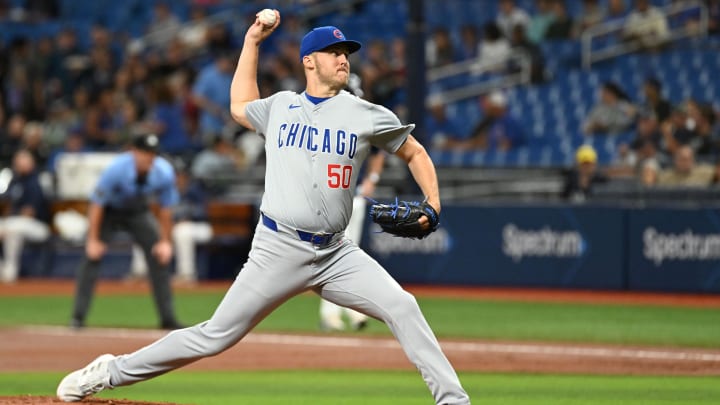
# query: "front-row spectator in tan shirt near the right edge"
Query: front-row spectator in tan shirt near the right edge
685,172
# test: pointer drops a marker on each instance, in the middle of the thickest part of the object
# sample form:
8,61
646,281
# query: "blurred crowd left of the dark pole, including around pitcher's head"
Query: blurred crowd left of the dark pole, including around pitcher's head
67,94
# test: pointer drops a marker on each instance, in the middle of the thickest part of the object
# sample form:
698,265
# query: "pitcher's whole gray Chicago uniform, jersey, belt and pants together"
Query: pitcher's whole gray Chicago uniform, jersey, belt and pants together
314,152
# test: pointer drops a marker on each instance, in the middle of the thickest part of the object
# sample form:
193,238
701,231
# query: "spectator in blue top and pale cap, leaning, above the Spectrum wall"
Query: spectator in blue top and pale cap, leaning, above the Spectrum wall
498,130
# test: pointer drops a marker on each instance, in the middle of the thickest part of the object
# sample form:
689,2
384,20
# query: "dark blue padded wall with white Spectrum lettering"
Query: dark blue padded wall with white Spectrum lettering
560,246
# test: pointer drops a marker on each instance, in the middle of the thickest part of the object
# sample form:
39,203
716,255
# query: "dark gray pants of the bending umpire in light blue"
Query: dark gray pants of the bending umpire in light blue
143,228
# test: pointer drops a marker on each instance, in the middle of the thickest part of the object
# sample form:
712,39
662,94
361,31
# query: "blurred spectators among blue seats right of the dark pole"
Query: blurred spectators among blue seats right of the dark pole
675,142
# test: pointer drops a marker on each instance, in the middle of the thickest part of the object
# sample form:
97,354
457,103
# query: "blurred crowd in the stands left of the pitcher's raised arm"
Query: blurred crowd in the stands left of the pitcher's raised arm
63,94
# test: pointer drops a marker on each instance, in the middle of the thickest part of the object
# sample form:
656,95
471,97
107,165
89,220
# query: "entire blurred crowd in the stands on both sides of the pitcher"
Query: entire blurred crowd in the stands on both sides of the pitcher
64,93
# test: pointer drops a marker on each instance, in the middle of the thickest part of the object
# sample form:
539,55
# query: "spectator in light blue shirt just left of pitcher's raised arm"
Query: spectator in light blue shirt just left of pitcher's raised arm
211,95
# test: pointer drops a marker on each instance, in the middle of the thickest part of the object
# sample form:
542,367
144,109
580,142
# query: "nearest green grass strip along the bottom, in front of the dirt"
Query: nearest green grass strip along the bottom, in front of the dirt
381,388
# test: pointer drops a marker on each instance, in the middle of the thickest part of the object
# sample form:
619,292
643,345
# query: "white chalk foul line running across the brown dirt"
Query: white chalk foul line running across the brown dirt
337,341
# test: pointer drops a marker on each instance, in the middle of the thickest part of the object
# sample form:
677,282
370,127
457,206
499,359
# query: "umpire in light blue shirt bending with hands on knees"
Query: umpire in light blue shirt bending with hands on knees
120,202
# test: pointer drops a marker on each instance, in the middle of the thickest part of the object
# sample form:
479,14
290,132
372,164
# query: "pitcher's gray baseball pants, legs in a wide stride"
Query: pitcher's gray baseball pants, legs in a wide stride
279,267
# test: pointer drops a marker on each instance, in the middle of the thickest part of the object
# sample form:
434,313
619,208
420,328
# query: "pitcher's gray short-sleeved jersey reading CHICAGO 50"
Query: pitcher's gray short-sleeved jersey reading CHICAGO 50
314,153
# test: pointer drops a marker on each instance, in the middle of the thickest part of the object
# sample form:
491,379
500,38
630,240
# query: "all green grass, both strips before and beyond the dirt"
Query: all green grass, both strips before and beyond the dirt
505,320
